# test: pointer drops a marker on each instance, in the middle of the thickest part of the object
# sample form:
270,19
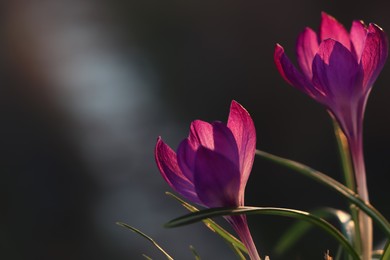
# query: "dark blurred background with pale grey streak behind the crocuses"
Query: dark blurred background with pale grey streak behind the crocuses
87,86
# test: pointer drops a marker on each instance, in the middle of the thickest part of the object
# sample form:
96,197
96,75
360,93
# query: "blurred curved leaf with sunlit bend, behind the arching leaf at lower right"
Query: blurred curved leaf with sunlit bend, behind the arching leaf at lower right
300,228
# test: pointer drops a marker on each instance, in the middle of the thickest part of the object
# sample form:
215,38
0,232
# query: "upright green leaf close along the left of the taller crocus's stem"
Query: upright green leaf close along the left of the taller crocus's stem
349,177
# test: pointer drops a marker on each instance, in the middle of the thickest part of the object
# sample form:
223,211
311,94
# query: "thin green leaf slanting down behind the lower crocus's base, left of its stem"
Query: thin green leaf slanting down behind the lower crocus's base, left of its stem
229,238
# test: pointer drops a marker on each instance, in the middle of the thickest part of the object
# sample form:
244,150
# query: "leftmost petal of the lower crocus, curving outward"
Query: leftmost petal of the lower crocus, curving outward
167,164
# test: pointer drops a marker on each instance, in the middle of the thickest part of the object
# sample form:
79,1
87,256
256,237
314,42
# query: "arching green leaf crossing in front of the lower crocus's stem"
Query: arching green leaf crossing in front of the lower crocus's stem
297,214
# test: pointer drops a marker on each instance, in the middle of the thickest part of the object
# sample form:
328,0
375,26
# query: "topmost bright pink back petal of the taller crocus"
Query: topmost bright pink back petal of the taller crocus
330,28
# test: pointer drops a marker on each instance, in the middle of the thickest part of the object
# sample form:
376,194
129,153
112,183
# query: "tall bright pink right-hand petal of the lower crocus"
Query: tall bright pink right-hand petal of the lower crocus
244,132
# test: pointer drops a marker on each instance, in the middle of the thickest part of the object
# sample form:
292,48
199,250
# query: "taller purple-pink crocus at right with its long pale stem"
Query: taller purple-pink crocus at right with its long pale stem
338,69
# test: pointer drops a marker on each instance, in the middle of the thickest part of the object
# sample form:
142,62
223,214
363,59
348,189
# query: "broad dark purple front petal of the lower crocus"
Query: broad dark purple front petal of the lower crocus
217,179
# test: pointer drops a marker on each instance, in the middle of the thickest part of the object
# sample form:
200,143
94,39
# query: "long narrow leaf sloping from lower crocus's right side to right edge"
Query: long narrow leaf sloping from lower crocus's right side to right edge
324,179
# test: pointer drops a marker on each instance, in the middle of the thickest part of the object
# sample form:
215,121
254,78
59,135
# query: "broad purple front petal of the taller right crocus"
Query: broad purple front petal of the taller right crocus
335,70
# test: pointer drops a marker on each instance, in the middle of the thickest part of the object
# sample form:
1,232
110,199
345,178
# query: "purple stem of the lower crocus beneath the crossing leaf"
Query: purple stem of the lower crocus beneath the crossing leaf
240,225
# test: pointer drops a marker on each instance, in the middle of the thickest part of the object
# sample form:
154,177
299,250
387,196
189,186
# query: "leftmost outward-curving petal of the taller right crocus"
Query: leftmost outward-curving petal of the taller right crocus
290,73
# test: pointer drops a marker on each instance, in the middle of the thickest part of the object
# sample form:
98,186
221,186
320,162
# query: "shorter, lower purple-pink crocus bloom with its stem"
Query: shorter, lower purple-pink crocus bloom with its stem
212,166
